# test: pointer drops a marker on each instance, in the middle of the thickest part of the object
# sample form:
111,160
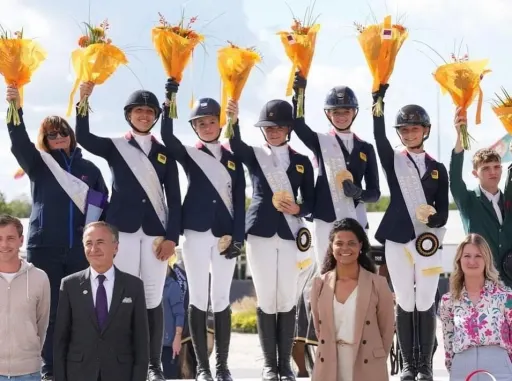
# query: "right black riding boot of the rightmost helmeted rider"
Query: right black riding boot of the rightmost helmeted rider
427,339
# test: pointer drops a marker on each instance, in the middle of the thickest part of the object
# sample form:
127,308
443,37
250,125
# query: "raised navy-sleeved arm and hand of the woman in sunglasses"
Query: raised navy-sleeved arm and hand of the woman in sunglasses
23,149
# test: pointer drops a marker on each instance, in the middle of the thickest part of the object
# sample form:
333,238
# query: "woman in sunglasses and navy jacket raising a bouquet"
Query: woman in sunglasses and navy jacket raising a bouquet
56,224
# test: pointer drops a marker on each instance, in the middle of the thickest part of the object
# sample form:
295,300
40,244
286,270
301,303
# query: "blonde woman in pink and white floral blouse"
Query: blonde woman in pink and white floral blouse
477,315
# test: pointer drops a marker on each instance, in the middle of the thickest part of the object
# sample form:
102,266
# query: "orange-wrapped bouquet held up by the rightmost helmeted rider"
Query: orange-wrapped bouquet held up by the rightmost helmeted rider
380,44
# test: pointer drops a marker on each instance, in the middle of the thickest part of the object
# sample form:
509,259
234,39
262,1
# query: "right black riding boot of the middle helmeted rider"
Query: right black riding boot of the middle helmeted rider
285,336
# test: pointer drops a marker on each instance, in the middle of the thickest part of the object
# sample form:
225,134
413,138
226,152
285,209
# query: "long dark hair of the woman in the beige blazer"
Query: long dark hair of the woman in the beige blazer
349,225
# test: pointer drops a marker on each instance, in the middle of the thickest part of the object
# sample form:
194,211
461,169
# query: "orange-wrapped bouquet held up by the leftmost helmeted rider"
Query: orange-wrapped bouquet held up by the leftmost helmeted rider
95,61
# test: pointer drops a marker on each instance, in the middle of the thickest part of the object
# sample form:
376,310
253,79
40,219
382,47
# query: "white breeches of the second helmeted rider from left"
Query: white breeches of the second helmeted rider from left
202,257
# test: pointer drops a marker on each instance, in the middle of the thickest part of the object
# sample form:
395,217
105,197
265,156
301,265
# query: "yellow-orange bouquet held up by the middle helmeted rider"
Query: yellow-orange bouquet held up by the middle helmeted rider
235,65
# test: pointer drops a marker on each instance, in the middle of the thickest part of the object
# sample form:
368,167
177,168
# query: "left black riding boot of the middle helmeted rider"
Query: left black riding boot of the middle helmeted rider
267,332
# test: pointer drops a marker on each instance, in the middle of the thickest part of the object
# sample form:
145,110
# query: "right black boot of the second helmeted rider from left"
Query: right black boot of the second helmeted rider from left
222,321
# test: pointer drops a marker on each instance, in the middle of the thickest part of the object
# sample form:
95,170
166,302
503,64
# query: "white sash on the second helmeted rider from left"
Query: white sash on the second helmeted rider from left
216,173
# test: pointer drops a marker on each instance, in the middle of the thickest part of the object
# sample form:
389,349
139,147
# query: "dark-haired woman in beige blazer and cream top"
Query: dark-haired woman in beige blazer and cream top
353,310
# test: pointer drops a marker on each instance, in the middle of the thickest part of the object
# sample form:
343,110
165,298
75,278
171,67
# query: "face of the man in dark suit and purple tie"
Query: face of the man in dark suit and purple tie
100,248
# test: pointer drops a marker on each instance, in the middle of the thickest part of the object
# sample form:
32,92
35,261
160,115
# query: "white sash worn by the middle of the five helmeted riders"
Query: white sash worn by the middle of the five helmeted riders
278,180
